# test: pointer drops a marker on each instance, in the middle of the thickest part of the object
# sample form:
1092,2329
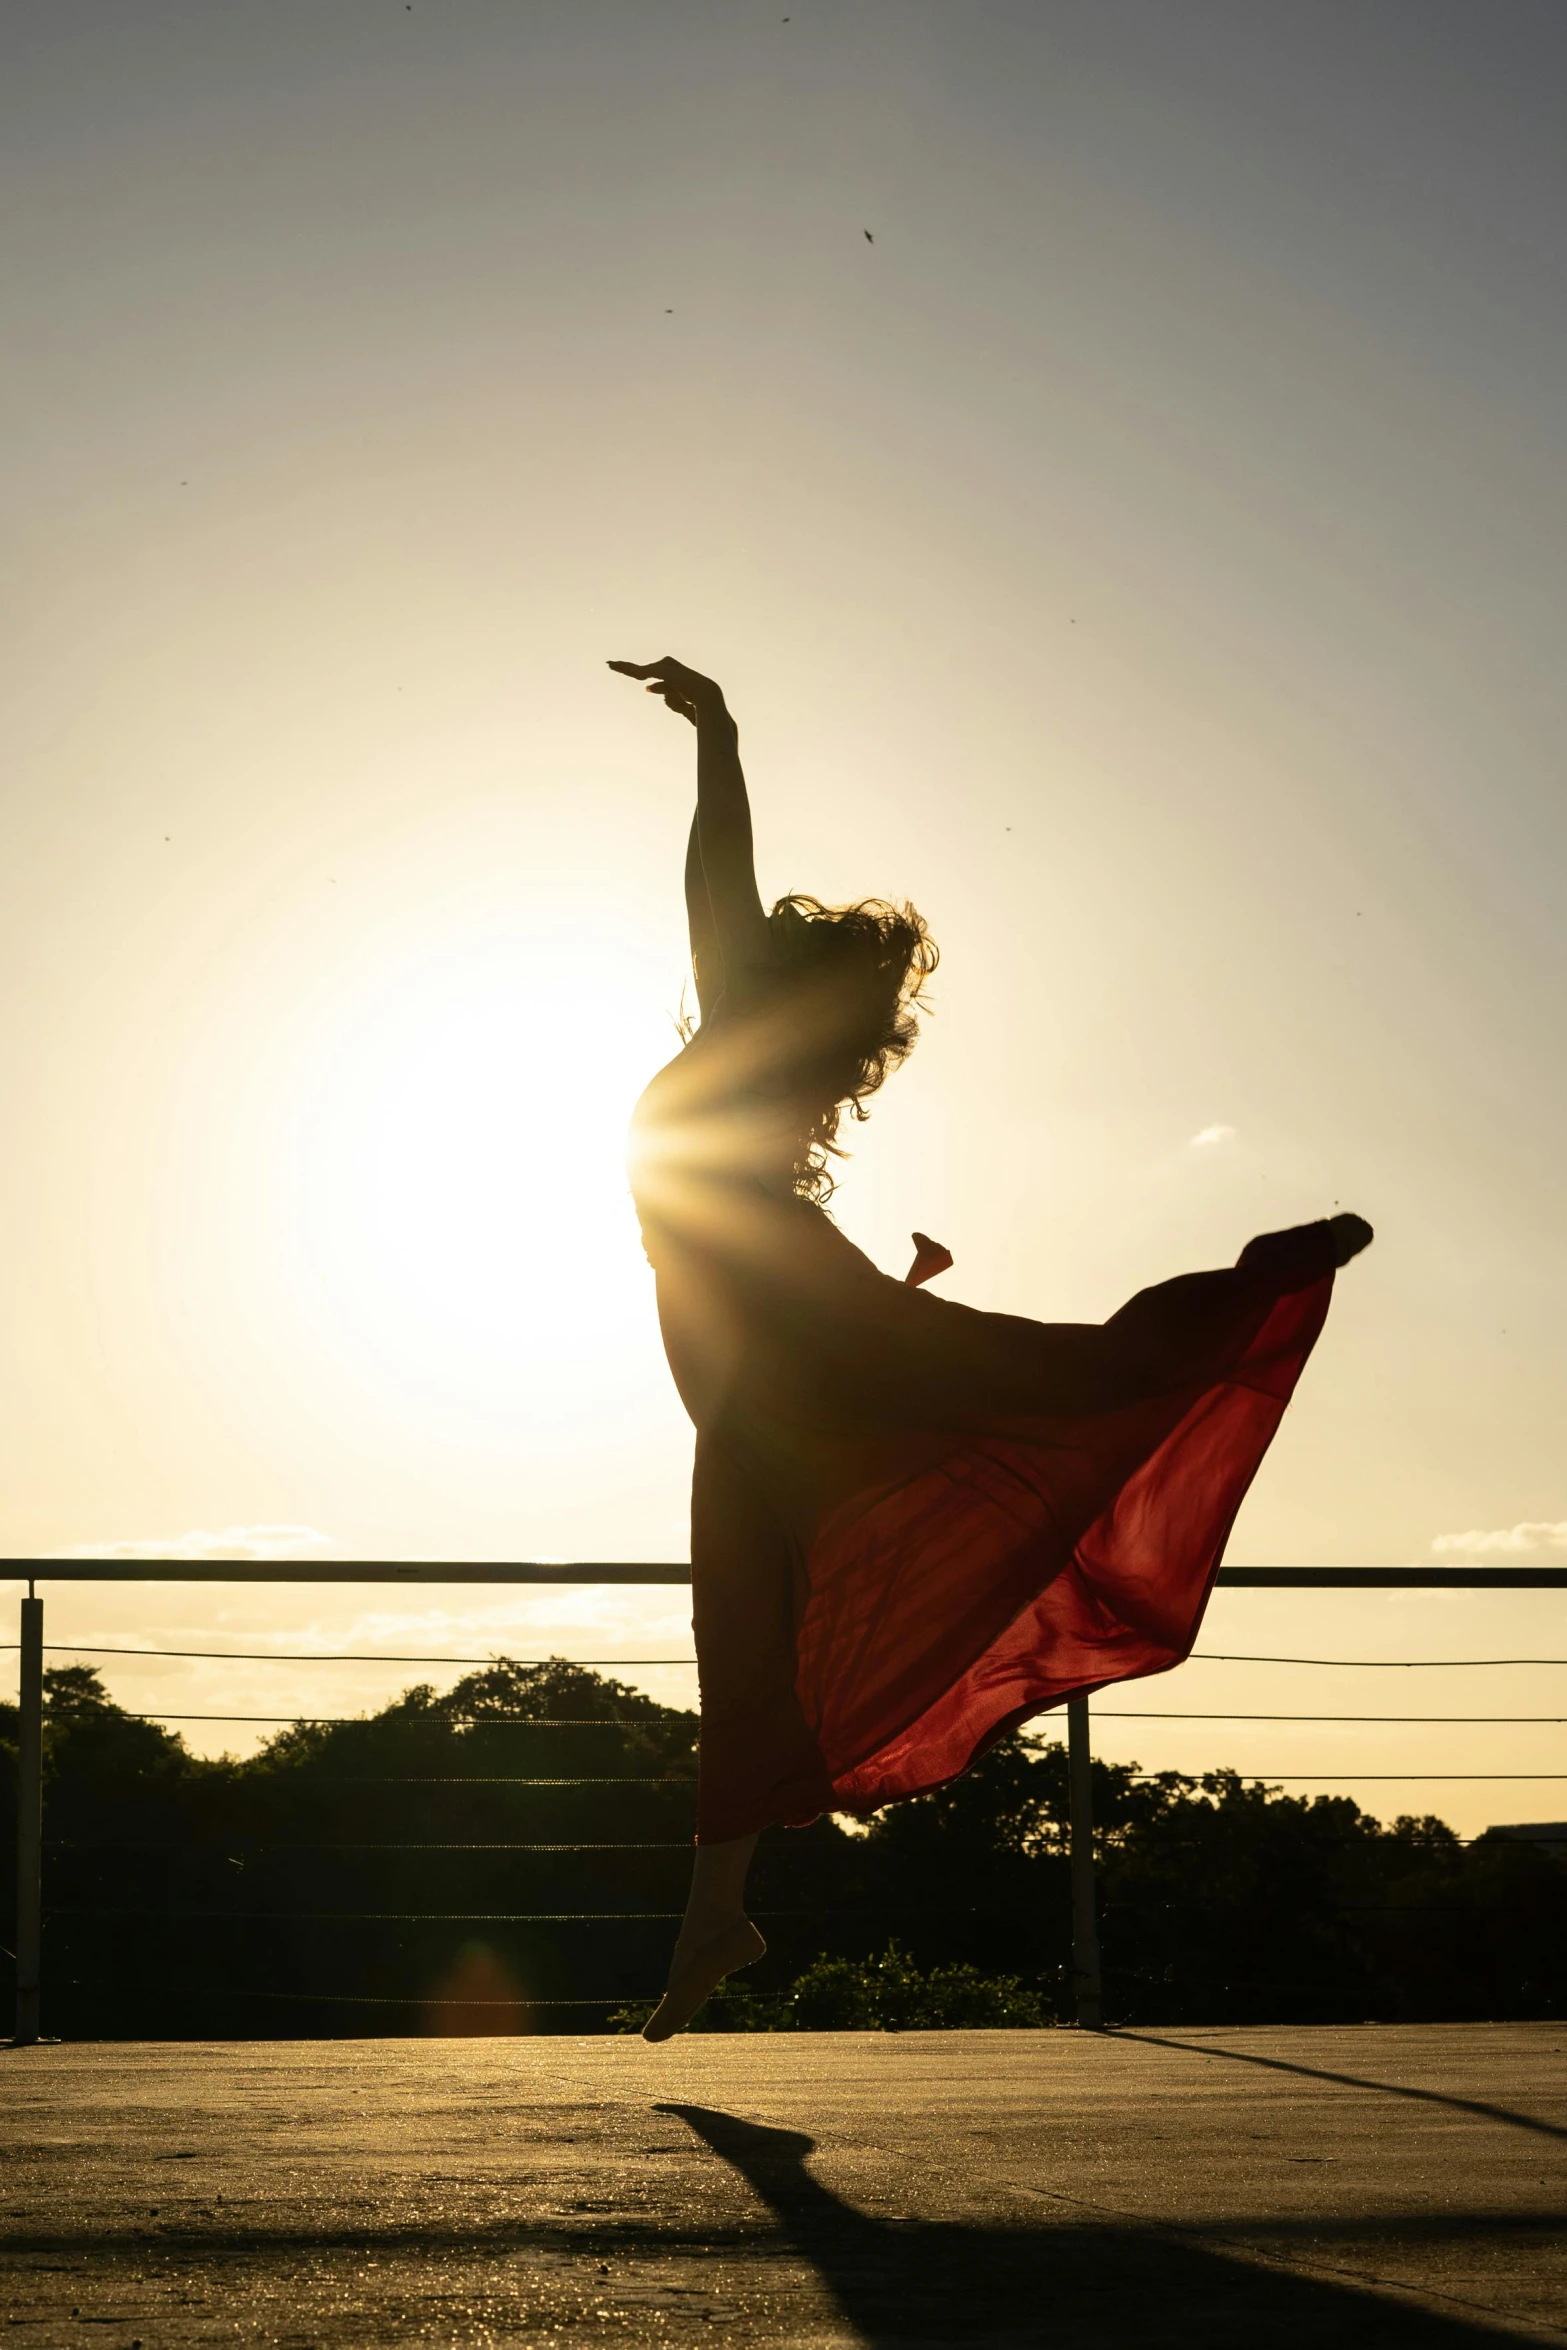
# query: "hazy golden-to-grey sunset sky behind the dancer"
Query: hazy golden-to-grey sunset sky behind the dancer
1148,556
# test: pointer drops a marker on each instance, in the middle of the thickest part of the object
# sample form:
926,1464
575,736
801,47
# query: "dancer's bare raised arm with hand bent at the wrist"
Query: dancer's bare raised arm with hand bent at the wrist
720,854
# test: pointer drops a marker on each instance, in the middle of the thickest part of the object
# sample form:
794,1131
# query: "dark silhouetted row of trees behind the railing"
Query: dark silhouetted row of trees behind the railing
513,1855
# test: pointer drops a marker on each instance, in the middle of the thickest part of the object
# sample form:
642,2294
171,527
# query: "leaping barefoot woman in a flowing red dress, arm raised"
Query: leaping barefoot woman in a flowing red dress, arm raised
913,1526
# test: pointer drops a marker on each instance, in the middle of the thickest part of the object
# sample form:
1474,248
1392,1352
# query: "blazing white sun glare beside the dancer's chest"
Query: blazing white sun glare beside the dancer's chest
457,1202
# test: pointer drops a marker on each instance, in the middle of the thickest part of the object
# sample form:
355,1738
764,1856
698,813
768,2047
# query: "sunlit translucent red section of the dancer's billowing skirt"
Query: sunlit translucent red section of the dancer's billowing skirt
976,1562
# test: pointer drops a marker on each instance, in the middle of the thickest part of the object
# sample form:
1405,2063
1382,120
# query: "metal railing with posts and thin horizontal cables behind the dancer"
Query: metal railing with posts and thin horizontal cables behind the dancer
1087,1973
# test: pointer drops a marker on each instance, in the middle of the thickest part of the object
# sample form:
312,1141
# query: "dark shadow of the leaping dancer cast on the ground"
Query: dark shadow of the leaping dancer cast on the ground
1063,2285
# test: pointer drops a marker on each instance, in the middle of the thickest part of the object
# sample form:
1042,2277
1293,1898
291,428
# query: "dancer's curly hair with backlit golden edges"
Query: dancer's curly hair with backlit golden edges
856,974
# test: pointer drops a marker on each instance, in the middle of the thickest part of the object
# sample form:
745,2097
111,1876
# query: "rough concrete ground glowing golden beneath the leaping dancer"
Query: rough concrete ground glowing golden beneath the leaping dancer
1253,2189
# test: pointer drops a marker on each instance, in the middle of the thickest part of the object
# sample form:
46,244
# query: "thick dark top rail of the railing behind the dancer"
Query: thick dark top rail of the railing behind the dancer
666,1571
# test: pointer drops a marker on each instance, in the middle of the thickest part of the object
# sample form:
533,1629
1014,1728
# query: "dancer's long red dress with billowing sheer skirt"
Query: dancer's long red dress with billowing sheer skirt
913,1524
